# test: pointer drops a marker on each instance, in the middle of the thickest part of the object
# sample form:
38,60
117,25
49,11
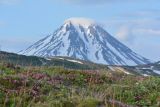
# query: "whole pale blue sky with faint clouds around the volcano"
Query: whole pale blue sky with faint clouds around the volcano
136,23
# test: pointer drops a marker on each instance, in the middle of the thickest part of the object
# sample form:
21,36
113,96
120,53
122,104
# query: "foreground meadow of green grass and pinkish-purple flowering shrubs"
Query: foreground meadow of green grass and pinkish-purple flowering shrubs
59,87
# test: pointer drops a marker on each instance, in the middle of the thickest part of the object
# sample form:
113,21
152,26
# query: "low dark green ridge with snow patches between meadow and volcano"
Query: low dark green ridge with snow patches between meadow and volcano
76,64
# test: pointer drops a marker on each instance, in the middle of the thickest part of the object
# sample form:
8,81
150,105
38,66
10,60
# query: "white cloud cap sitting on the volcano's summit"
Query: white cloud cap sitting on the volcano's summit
84,22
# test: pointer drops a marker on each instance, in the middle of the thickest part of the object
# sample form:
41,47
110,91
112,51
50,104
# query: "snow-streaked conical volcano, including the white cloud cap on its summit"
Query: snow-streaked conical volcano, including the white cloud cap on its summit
86,40
